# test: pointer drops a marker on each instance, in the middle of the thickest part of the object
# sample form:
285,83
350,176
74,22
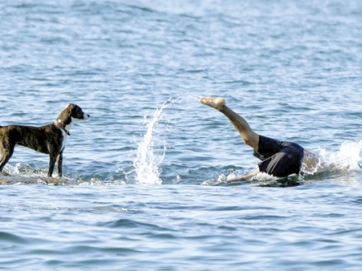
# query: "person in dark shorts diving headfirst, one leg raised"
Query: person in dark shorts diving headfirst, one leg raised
278,158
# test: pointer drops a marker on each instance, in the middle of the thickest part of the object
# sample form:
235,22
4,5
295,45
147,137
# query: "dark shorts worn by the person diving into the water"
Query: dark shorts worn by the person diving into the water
279,158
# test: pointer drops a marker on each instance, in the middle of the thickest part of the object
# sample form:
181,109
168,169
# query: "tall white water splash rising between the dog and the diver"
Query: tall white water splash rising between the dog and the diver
148,158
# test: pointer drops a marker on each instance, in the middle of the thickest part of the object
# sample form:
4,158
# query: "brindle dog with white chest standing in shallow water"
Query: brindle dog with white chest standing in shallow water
49,139
